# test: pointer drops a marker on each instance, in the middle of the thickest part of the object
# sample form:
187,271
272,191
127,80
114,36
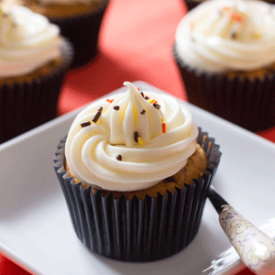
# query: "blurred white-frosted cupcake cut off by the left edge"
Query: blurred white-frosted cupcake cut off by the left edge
33,61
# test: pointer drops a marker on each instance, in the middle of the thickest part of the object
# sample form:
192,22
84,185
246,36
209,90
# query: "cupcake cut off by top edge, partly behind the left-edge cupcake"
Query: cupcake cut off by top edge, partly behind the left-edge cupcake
79,21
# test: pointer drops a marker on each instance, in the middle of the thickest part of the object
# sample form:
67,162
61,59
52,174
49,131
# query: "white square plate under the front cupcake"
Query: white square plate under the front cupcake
35,227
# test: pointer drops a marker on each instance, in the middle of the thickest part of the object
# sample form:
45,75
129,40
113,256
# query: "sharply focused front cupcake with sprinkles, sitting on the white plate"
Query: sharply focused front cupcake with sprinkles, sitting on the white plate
135,171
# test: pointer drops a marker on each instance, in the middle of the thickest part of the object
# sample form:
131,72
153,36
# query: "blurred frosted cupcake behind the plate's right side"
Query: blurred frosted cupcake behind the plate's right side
225,51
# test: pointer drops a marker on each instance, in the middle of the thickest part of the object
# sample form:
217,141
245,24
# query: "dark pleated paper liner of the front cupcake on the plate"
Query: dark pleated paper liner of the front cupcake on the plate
137,230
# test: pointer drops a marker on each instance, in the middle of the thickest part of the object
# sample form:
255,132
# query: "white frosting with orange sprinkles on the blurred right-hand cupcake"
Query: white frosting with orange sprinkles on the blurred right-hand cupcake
221,35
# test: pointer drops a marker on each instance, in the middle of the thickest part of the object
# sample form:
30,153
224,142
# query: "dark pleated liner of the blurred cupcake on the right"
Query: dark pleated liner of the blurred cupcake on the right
249,104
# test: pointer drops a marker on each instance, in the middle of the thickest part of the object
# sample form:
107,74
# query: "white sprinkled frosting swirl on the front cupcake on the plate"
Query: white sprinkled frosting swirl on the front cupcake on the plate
92,152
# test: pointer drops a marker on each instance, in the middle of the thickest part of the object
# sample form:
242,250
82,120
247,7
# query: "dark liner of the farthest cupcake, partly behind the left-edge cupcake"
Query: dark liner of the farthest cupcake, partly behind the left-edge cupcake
83,33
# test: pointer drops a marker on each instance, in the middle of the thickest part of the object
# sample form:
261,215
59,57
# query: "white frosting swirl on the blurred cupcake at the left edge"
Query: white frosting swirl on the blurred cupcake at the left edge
27,41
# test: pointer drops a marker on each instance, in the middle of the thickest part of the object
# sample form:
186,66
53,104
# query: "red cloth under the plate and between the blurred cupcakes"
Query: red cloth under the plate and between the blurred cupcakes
135,44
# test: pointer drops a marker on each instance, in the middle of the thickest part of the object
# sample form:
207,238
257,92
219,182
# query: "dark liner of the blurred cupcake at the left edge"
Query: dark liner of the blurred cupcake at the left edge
30,103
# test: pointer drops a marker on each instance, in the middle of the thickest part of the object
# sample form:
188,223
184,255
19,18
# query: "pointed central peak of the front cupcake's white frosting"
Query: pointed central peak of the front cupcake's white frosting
132,116
